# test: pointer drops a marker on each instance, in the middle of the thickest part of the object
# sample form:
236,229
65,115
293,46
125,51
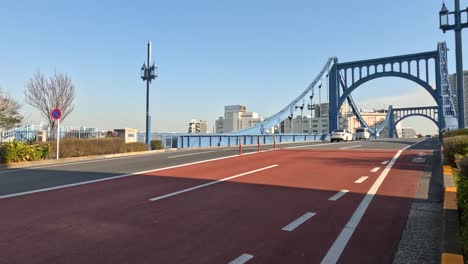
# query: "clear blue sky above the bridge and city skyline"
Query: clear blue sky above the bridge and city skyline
213,53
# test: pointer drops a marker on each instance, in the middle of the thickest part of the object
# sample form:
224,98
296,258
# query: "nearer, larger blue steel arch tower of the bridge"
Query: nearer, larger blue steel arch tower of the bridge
347,77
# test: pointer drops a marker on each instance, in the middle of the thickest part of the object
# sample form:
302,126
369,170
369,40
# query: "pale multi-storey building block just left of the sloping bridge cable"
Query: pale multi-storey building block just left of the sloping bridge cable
236,118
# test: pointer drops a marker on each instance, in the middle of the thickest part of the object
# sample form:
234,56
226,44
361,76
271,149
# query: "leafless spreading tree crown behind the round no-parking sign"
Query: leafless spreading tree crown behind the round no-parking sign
46,94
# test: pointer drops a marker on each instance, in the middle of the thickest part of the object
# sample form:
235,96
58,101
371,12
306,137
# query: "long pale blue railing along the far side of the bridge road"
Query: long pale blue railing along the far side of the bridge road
176,140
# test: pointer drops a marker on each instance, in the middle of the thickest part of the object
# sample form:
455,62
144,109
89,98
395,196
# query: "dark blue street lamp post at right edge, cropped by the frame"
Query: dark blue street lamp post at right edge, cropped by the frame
457,26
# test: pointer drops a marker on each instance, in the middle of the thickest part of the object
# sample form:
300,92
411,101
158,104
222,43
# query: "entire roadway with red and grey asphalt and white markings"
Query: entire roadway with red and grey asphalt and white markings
304,203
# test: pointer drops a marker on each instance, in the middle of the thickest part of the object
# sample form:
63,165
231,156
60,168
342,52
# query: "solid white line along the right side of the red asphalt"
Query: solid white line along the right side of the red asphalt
341,241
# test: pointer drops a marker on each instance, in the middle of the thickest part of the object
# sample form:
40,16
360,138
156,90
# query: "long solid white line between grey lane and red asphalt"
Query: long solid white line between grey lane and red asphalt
117,177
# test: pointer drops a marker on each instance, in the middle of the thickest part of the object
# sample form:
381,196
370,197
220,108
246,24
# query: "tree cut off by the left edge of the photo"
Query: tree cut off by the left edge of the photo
9,111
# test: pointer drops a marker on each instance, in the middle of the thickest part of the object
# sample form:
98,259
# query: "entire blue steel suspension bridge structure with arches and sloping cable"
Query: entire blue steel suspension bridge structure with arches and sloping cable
427,69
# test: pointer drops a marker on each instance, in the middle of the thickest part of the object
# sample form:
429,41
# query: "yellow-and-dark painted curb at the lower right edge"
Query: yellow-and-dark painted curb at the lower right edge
451,247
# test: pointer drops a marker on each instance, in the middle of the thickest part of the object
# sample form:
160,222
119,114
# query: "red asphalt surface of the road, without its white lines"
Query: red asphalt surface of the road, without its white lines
113,221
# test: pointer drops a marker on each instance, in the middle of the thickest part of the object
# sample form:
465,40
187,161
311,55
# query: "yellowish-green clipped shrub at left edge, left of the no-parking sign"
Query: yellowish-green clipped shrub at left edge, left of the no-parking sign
17,151
